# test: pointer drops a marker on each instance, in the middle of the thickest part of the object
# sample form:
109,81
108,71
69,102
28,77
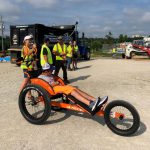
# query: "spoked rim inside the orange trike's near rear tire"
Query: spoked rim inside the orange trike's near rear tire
34,107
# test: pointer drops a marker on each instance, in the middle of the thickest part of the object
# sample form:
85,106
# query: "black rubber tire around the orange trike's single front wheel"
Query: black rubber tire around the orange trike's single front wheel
122,120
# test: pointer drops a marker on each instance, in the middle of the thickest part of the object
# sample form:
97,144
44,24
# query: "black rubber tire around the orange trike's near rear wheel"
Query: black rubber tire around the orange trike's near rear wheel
34,103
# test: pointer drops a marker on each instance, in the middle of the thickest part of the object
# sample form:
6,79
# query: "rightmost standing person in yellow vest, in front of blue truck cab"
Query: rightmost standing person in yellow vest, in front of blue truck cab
75,55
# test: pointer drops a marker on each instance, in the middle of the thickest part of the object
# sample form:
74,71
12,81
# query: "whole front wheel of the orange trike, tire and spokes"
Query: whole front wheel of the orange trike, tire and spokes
122,118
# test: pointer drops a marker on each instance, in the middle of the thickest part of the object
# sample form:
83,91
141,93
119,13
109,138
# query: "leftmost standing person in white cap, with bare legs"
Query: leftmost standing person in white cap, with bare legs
26,64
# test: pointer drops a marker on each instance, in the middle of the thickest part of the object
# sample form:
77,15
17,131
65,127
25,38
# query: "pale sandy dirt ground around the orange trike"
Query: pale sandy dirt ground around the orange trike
119,79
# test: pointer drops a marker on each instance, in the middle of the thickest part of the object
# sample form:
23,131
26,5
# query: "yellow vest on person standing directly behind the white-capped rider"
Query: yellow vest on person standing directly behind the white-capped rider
49,55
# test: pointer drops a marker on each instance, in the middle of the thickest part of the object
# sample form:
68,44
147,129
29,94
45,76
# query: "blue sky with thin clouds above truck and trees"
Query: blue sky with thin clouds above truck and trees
96,17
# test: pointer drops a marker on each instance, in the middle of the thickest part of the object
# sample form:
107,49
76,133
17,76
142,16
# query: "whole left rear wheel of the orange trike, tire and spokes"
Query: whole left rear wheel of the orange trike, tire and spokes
37,109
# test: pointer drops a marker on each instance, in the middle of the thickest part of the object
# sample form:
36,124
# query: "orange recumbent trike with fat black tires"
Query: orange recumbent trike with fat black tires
120,116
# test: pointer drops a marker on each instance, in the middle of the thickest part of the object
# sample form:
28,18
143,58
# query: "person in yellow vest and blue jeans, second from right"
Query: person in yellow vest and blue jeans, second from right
69,55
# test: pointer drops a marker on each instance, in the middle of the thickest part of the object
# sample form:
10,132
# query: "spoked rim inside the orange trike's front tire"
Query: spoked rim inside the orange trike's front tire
124,121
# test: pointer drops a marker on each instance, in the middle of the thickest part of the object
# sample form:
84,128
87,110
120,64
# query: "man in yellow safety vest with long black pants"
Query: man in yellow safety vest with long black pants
59,51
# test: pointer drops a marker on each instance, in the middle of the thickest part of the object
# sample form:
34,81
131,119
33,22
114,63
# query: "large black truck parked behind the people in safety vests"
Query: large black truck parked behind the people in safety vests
39,31
